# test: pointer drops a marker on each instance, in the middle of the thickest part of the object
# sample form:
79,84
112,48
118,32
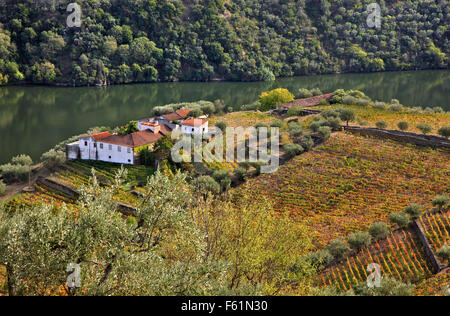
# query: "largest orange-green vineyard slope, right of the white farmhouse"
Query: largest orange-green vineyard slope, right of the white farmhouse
350,182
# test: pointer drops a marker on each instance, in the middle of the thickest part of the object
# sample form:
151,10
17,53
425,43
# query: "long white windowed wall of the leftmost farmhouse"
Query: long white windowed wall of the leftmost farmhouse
91,150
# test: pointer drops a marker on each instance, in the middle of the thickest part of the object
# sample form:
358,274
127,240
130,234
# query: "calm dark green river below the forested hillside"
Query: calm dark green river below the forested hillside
35,118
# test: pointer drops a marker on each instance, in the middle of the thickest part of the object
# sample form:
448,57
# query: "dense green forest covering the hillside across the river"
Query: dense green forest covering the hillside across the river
242,40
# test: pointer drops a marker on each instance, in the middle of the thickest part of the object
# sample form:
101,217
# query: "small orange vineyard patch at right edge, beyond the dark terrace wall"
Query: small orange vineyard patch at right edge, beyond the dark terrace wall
437,229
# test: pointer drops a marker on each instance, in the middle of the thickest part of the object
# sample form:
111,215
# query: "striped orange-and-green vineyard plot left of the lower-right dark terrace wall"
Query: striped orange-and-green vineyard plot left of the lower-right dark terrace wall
400,256
